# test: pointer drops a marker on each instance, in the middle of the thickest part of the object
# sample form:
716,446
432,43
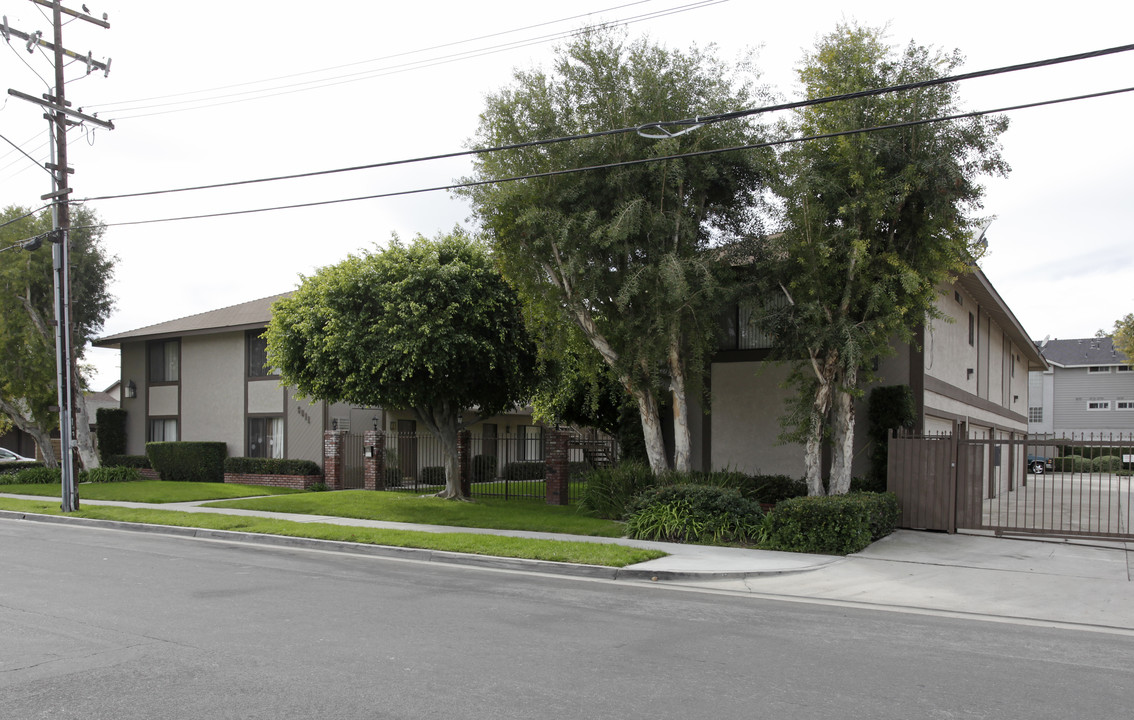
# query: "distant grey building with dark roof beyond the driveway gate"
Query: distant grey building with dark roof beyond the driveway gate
1088,389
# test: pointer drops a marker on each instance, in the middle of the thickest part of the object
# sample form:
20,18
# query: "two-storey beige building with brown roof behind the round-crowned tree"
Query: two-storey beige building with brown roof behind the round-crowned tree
206,378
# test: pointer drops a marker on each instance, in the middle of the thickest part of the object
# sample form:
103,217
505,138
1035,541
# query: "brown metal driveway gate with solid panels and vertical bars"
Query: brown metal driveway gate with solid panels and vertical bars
1074,486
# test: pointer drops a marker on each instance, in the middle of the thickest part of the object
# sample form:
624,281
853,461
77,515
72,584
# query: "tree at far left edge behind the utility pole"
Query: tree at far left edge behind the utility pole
28,360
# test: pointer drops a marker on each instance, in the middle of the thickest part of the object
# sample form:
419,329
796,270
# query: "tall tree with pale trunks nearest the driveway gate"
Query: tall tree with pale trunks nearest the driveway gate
873,225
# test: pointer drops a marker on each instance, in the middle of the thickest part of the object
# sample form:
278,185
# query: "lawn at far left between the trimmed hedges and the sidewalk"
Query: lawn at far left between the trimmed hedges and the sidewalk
153,492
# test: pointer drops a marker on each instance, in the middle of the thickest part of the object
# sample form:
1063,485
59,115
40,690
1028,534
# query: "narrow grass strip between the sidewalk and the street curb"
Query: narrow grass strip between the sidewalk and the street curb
553,550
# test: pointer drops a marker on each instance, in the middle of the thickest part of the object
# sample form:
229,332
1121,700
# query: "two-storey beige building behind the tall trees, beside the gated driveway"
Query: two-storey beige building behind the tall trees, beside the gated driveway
970,366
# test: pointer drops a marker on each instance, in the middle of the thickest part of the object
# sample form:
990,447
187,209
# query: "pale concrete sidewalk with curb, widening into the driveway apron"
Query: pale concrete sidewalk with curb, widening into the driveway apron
1080,583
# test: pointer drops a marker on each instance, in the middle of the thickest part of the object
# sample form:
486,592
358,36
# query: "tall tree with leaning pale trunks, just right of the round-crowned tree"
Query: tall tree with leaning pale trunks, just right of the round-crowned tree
623,253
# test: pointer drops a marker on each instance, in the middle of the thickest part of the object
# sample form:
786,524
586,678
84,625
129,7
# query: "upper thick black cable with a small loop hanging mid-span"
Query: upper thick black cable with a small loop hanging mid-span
689,122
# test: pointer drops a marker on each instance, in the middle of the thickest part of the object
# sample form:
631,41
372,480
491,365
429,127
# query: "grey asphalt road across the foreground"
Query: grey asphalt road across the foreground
104,624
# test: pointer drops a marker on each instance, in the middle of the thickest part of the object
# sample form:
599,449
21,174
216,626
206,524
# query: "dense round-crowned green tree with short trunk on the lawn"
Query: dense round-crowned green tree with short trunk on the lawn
430,328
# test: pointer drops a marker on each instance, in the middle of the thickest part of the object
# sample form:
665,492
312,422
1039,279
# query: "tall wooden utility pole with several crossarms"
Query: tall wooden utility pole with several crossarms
58,117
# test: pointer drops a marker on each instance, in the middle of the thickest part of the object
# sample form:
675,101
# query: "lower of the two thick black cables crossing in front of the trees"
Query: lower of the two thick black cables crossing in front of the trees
628,163
